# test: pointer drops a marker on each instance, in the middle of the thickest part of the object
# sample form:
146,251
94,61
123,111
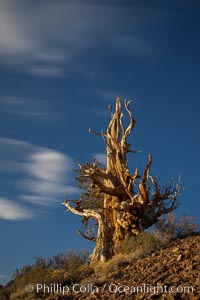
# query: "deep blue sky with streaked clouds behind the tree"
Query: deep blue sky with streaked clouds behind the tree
61,64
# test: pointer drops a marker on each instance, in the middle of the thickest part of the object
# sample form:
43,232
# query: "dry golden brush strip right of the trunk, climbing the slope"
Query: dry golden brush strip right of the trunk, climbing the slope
137,247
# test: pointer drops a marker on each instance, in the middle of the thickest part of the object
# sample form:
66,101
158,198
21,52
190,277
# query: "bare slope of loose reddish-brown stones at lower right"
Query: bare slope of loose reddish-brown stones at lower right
170,273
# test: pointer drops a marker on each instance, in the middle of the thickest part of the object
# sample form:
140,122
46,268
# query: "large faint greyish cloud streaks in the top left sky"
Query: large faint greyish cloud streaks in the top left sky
47,38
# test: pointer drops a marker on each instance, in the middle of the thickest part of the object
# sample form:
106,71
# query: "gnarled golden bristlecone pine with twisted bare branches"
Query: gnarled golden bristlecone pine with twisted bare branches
123,204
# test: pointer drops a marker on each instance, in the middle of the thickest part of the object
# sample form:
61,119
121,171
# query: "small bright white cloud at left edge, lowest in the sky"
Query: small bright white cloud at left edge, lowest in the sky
12,211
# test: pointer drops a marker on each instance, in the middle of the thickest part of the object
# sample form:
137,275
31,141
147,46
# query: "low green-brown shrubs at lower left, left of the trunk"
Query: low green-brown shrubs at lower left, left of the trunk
63,268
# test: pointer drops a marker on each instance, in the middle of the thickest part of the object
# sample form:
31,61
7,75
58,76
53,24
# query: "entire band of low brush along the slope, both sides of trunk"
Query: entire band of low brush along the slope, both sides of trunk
72,267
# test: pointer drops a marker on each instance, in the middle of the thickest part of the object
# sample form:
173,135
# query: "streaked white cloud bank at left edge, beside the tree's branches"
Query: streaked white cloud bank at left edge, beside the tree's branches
37,175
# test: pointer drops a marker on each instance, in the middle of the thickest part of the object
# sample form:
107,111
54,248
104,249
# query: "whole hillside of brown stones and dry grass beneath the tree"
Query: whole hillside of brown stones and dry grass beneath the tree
172,272
